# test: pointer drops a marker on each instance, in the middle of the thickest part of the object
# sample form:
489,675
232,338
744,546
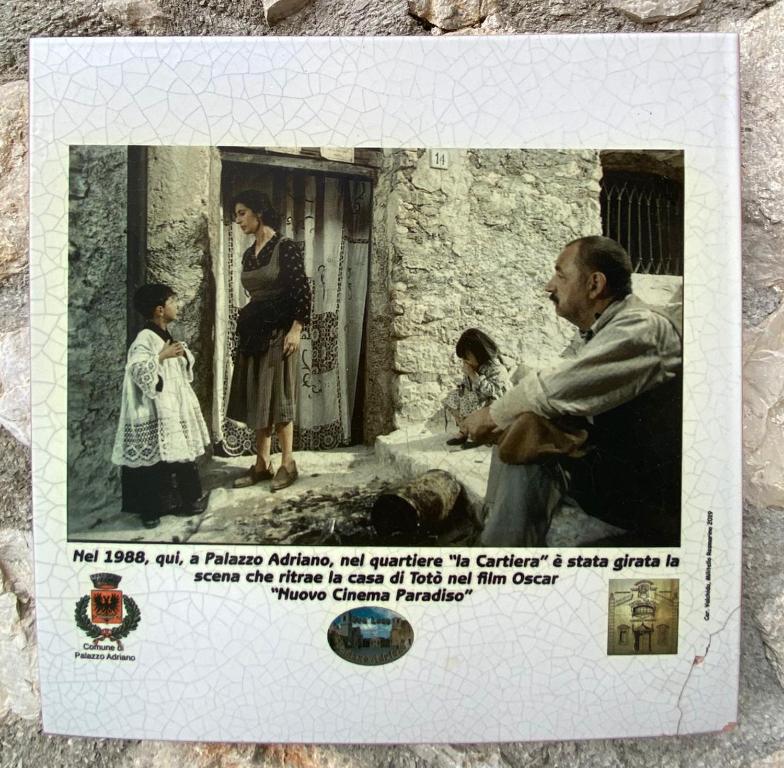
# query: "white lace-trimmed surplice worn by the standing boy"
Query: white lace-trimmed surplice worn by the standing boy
164,425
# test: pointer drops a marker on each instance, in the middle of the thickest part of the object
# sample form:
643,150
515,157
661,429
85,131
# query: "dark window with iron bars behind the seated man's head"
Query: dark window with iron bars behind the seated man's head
644,213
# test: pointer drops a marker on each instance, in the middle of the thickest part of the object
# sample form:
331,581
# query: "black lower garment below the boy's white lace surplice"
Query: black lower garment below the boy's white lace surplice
162,489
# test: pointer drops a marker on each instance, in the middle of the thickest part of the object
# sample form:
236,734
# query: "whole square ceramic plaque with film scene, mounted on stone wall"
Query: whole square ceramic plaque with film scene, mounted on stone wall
401,589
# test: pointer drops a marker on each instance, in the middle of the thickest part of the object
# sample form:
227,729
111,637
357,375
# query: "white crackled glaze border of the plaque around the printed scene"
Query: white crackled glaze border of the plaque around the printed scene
457,645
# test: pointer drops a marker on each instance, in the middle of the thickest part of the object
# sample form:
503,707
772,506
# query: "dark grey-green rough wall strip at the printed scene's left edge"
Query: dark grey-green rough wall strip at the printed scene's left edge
97,318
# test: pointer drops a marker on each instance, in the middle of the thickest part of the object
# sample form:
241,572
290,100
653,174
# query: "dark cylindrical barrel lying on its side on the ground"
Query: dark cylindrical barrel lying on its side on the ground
422,503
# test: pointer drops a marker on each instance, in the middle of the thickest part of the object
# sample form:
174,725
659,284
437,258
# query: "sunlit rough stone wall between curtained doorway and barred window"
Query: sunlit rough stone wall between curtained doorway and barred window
471,245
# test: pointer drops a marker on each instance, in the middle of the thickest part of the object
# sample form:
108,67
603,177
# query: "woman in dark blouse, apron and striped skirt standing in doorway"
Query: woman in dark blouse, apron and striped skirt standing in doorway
264,384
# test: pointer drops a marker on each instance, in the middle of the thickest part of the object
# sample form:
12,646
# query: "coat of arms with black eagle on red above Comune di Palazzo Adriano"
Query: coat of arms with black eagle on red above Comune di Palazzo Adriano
112,615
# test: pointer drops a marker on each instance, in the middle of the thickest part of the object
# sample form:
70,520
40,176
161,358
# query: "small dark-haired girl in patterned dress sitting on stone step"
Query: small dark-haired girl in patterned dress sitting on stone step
484,379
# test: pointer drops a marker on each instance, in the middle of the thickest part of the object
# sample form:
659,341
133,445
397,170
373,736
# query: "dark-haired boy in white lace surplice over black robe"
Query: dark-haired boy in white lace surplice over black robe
161,430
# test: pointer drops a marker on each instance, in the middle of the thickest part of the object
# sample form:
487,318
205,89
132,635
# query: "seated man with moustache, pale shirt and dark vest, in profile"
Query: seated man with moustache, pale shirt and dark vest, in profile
621,377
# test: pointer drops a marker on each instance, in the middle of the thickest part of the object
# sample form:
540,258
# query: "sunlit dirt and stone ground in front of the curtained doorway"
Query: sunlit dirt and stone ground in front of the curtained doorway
331,502
